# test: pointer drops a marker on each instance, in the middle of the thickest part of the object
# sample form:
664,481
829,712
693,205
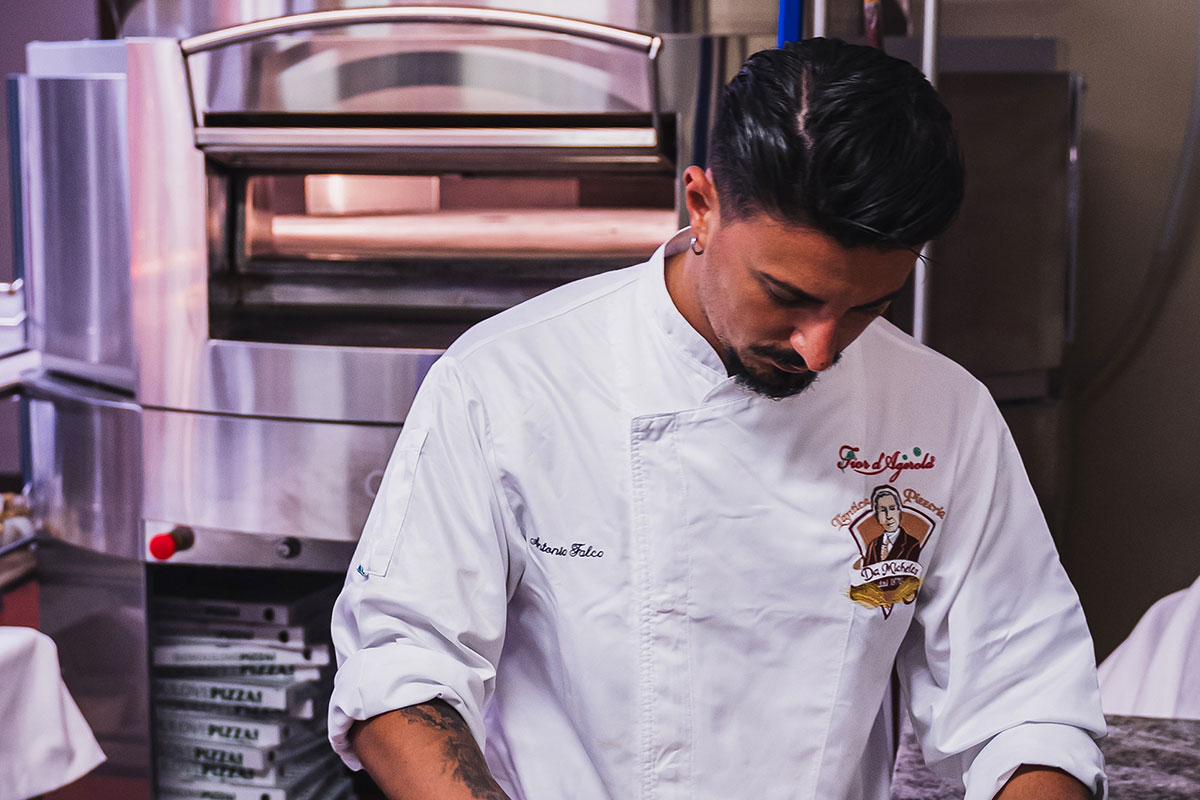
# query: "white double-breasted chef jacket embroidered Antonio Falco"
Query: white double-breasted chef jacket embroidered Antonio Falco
632,576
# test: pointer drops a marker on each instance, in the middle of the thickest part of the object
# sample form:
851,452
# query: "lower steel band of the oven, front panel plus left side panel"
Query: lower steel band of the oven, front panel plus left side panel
101,465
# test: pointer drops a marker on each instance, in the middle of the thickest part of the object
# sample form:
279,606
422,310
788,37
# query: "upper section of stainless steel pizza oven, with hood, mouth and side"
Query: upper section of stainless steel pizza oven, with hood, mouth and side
370,181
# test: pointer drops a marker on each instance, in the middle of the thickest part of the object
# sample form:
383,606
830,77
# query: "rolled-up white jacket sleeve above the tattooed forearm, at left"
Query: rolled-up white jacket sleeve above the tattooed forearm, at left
423,612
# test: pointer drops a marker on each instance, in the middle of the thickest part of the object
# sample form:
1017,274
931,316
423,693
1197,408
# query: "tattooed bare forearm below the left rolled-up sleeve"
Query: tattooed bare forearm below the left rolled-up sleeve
424,753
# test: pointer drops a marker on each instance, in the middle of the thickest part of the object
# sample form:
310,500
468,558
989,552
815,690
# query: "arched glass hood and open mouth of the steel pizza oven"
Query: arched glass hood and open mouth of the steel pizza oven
388,188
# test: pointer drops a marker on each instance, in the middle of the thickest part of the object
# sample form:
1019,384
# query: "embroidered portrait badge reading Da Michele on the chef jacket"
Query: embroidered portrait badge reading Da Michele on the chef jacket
890,537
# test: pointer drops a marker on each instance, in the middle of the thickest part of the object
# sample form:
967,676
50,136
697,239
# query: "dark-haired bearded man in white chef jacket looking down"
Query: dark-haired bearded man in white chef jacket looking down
602,554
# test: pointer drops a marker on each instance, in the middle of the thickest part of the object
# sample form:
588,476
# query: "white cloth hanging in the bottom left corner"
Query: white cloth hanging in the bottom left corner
45,742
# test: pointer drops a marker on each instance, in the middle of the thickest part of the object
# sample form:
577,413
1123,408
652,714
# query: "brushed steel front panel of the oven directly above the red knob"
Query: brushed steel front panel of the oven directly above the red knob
271,478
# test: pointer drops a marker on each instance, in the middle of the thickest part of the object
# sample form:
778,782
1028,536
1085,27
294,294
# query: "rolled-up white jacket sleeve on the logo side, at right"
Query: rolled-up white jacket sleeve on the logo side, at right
998,669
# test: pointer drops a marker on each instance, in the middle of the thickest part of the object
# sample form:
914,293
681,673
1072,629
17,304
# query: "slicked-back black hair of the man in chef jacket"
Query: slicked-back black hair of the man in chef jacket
841,139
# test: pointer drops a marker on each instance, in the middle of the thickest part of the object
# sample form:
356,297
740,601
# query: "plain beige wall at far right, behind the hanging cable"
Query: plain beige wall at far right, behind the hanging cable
1137,447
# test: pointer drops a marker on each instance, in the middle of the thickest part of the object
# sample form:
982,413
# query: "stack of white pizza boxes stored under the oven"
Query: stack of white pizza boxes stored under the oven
241,693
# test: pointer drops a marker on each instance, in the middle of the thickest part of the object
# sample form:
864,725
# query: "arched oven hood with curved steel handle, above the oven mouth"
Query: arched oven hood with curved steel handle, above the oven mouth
472,67
